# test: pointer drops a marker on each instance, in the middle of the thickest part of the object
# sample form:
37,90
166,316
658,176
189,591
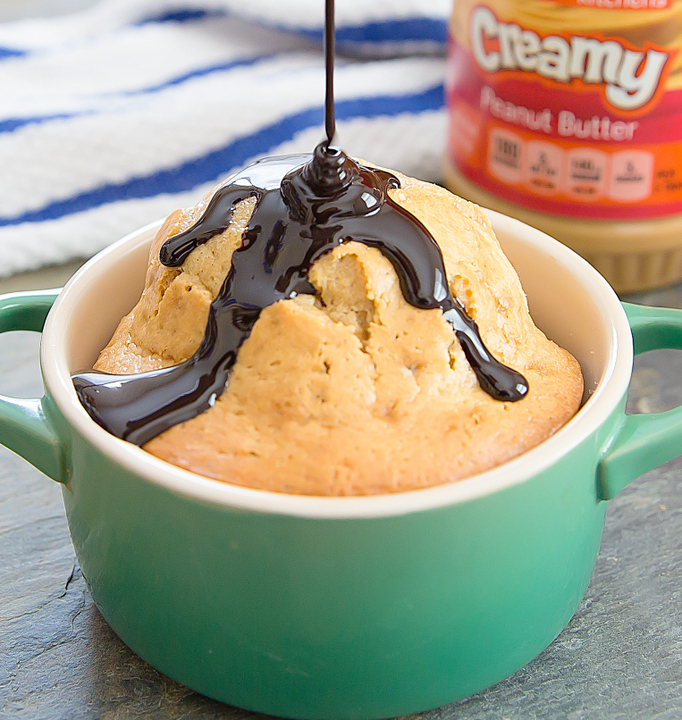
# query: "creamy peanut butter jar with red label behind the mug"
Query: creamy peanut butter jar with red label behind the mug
567,114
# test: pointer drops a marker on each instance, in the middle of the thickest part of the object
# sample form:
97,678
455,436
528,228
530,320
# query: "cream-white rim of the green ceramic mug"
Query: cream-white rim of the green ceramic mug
598,407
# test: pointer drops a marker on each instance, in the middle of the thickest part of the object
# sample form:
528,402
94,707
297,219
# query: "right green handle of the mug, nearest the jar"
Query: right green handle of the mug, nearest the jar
645,441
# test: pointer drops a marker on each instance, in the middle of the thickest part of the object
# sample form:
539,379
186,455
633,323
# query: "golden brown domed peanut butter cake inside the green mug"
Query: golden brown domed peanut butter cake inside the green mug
352,391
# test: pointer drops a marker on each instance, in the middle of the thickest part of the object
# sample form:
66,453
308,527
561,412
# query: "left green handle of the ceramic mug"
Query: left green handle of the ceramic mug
25,428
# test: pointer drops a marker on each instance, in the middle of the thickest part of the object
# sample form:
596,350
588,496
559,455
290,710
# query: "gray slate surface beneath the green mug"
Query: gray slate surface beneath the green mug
620,657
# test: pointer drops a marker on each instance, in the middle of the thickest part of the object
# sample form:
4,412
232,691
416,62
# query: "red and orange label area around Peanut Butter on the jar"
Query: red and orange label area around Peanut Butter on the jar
560,151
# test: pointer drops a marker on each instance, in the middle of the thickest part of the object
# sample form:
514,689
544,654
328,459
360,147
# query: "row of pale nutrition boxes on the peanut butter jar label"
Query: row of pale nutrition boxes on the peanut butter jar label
586,173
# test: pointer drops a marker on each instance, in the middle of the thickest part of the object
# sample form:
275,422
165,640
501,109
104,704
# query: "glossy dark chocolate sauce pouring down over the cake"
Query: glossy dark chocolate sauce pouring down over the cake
304,207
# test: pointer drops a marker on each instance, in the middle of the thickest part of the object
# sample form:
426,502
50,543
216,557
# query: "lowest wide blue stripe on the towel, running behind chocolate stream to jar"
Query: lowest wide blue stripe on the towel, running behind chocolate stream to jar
210,167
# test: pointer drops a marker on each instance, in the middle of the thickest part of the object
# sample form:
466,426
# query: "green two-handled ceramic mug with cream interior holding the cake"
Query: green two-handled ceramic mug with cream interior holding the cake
342,607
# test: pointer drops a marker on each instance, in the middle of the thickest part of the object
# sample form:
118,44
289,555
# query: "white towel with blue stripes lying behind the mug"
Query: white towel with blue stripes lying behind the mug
113,117
